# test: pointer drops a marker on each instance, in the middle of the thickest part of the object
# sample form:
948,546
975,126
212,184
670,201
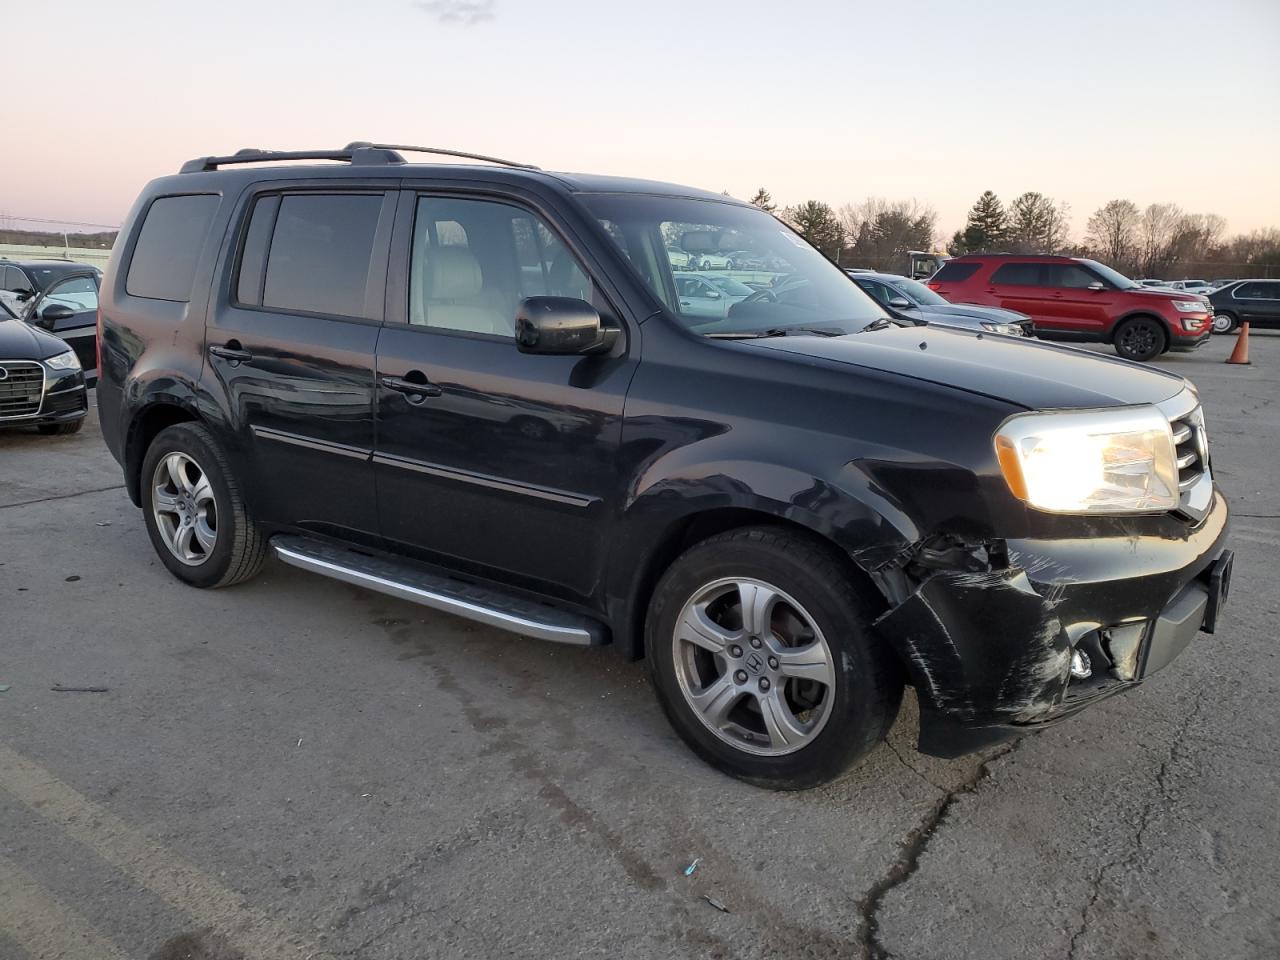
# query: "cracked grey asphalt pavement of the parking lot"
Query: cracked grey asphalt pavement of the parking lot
298,769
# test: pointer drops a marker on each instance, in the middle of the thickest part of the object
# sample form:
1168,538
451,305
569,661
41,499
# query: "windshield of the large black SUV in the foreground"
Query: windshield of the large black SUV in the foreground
770,277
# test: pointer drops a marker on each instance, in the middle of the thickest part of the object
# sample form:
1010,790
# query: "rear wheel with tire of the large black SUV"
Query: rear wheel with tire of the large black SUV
194,510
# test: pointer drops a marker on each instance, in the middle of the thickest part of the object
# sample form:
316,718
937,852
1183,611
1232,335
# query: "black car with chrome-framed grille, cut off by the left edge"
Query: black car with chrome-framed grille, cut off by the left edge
42,383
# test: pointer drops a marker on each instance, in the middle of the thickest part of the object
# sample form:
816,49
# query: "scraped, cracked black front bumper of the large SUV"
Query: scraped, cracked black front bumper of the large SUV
990,647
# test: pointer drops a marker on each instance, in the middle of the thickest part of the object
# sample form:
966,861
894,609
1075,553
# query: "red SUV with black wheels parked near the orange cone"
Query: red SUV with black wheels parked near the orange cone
1078,300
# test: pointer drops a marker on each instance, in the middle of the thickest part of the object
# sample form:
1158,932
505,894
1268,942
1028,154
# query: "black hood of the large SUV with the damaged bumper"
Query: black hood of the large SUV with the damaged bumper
1027,373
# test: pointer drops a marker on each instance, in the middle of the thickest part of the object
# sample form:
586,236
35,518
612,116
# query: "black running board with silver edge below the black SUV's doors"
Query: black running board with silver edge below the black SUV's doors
441,593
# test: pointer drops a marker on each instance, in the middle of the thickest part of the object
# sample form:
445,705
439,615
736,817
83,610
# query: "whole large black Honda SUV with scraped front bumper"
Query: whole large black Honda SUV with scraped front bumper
473,387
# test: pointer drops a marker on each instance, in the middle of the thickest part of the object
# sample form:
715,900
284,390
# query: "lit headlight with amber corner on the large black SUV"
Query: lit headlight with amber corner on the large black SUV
1096,461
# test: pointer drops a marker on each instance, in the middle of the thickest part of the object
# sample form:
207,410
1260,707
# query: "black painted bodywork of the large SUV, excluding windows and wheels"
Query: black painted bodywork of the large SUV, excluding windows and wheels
578,479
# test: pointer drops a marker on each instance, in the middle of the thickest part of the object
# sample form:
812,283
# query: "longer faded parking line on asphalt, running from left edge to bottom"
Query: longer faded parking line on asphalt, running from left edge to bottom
150,865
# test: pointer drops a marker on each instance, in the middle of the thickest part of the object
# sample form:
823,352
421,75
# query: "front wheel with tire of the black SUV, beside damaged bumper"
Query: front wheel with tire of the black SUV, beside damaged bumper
762,655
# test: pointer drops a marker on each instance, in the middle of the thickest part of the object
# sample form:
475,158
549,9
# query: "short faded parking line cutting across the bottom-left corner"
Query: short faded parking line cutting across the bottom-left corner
43,926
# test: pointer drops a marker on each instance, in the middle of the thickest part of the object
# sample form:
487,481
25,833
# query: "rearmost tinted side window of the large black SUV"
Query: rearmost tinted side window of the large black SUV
170,248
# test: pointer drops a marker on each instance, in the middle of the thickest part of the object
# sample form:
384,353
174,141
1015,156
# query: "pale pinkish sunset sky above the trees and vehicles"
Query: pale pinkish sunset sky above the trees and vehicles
813,99
